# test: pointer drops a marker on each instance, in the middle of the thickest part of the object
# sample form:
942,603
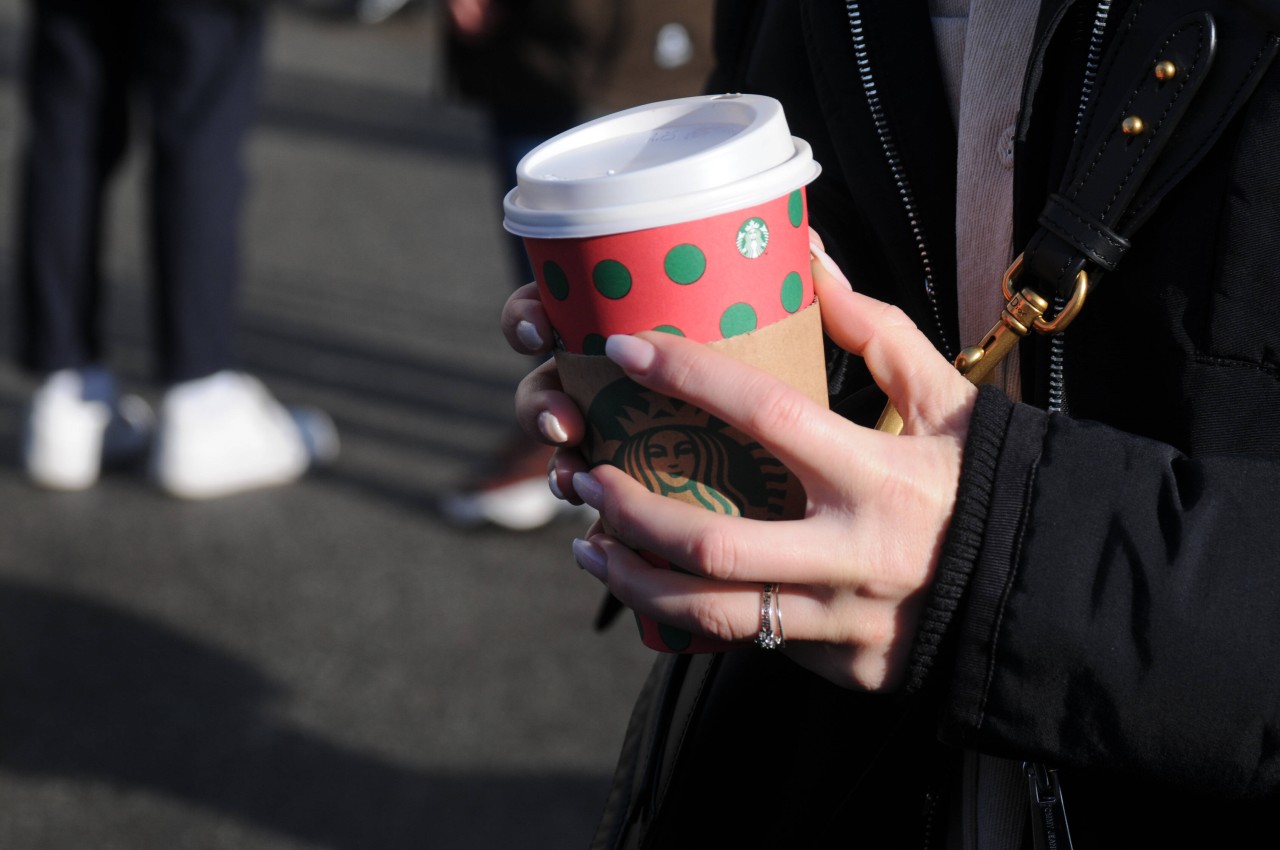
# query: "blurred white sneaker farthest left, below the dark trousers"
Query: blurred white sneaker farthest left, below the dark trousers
77,423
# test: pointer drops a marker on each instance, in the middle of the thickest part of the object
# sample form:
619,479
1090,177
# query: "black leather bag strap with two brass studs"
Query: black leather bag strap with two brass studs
1176,74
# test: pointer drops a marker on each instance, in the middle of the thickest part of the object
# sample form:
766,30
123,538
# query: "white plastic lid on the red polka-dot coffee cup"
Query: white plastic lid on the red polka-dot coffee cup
660,164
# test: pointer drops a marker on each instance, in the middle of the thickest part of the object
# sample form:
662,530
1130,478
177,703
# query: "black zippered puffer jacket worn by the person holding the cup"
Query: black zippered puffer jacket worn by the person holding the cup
1109,598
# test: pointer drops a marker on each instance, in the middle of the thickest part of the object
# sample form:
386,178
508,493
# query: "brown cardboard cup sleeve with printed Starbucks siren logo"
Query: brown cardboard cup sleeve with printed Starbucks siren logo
685,454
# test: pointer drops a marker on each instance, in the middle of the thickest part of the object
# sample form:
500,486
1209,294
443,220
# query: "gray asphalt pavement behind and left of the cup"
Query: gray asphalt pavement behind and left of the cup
327,665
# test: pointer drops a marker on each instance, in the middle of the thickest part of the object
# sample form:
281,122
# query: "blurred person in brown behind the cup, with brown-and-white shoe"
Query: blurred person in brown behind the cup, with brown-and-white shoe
541,67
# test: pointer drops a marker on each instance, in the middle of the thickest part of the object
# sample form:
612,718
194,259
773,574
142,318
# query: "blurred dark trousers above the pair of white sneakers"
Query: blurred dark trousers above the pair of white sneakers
194,67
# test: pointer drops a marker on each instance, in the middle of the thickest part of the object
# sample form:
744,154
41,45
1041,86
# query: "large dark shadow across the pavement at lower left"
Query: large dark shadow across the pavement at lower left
99,694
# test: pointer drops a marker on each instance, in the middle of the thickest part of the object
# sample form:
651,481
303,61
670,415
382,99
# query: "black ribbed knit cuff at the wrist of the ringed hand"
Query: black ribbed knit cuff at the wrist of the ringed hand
964,536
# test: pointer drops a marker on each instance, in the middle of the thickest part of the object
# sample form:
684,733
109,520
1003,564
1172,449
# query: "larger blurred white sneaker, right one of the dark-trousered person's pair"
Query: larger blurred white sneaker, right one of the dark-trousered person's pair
227,435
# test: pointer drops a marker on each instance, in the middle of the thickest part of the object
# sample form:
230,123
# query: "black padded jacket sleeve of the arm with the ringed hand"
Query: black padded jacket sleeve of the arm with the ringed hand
1119,604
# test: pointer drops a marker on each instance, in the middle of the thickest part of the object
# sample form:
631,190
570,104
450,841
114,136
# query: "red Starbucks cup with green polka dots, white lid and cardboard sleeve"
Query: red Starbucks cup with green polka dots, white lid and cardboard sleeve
685,217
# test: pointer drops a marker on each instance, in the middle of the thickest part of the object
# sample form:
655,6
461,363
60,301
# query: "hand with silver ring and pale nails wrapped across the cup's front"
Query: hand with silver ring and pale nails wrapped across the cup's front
853,573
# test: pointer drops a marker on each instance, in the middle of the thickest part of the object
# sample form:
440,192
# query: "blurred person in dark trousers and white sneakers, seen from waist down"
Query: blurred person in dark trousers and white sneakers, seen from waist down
195,66
